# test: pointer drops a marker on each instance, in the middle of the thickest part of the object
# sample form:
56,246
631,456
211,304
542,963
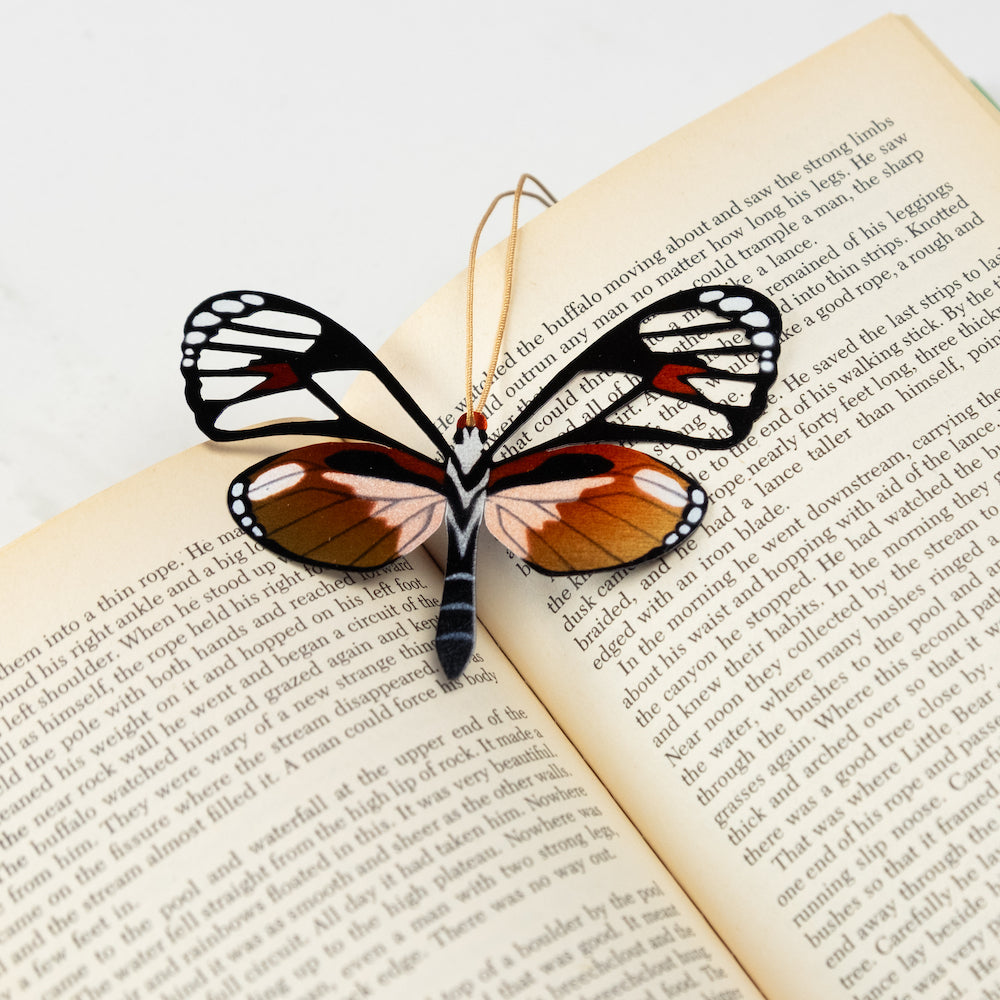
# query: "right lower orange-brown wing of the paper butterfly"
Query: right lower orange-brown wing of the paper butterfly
590,507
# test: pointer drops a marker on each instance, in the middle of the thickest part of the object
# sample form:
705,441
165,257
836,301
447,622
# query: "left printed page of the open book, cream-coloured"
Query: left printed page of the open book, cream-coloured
223,774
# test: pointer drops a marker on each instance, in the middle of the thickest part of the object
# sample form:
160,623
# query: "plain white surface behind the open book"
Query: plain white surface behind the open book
338,153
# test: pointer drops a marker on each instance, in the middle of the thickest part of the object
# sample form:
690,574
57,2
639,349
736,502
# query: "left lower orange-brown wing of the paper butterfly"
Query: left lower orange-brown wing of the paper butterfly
343,505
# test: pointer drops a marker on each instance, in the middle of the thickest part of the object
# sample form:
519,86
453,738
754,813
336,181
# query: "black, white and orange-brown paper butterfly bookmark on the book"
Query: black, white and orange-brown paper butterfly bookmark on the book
702,359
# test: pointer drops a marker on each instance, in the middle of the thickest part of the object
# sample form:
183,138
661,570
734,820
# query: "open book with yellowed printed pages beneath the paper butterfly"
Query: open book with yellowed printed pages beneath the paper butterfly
764,766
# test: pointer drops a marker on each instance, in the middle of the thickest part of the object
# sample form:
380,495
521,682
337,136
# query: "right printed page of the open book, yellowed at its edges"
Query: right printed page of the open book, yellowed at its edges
799,707
